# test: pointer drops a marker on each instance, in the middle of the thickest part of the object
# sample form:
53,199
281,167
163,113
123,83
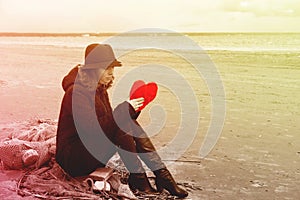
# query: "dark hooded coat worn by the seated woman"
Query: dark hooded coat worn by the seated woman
71,152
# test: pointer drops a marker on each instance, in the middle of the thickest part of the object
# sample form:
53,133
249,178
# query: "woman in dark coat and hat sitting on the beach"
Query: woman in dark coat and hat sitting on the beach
90,132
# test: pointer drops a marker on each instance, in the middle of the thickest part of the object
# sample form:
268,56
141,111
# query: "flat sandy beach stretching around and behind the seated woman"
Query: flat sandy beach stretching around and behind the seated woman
257,155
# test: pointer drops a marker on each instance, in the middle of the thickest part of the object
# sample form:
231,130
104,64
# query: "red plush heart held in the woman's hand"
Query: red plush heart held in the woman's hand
141,89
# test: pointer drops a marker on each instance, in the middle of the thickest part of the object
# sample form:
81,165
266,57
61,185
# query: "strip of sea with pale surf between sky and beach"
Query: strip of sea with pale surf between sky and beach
251,42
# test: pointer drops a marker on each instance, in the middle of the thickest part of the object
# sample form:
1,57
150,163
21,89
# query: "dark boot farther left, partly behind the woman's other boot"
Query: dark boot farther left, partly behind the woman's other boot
140,182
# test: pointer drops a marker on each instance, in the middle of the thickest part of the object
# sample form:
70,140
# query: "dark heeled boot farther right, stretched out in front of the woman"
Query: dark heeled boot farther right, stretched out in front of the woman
164,180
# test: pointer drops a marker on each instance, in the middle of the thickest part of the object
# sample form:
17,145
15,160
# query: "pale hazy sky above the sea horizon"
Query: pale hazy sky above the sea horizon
125,15
